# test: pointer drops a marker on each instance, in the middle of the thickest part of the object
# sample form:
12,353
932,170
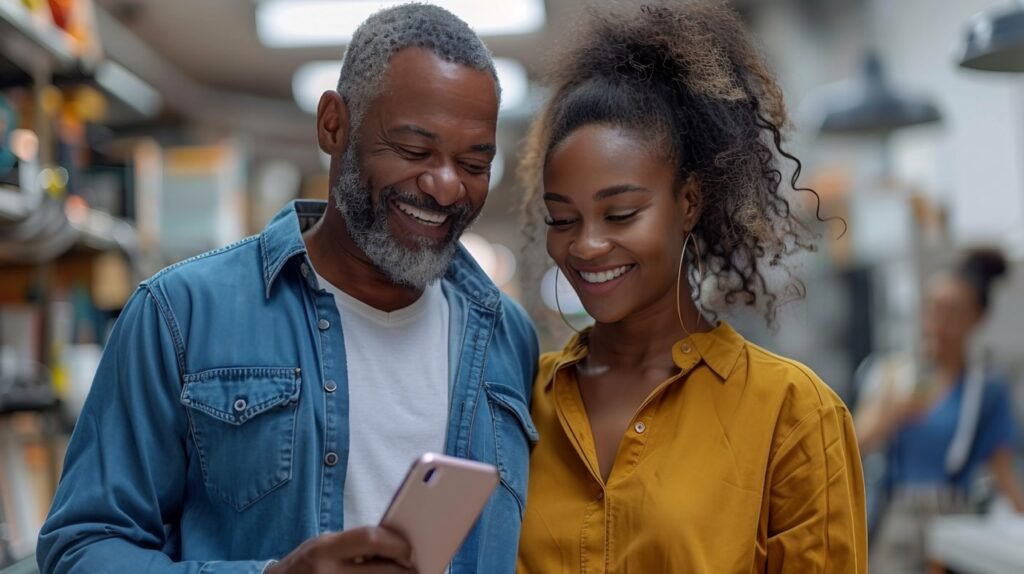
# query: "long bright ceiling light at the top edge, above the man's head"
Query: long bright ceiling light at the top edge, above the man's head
288,24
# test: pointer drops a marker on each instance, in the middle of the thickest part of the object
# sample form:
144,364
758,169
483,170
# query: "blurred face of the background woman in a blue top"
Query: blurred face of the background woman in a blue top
951,314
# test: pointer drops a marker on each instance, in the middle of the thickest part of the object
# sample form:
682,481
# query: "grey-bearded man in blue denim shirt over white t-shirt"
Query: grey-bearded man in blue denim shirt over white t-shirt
264,402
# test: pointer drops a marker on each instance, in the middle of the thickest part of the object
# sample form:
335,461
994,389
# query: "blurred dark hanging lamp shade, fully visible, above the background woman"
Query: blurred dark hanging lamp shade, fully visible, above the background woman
872,107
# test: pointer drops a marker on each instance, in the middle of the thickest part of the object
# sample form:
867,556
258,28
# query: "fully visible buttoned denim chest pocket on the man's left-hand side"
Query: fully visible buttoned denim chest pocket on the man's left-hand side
243,424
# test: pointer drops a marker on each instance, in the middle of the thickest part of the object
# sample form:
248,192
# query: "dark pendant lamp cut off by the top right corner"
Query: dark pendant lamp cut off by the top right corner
996,40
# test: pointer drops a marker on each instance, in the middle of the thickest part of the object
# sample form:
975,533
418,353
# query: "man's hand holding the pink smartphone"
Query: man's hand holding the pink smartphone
361,551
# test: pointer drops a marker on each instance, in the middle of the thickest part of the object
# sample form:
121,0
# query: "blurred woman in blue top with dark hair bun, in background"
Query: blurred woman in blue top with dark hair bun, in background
940,423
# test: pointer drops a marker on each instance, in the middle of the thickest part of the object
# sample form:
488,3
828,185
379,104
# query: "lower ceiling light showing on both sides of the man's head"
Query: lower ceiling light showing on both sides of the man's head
315,78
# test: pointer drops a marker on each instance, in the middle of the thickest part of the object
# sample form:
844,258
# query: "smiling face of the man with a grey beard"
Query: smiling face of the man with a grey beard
418,171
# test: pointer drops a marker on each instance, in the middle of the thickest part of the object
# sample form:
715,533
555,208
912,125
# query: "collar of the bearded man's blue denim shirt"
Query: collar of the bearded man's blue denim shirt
282,241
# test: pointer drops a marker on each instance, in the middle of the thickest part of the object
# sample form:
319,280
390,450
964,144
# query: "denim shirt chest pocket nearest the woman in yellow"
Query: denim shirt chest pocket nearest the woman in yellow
515,436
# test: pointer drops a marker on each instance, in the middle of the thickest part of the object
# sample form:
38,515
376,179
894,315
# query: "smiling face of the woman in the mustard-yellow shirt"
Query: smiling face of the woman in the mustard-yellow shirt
617,222
